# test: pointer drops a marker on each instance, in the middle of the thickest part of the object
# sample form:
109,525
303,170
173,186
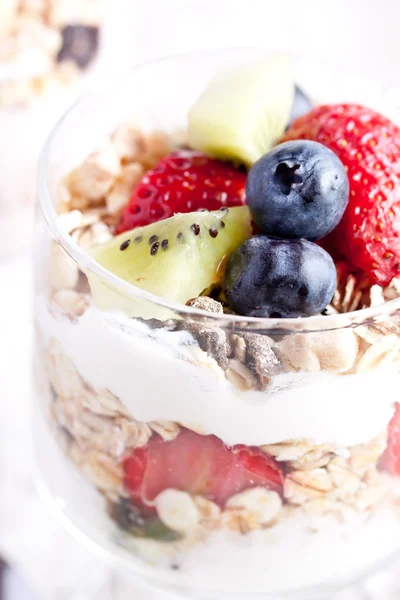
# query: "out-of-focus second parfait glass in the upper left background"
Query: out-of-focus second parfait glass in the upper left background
45,47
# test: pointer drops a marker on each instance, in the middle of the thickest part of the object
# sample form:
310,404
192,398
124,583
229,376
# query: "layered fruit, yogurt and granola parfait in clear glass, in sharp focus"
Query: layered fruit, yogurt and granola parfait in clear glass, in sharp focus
218,317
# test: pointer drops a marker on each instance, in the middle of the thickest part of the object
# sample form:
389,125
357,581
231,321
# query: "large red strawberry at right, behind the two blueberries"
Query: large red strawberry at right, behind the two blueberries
368,144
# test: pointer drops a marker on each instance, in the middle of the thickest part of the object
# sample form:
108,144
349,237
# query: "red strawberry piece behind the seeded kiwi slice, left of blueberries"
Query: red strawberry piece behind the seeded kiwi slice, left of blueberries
183,182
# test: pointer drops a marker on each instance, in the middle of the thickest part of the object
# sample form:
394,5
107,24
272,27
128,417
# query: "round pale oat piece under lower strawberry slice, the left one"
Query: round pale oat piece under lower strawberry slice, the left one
177,510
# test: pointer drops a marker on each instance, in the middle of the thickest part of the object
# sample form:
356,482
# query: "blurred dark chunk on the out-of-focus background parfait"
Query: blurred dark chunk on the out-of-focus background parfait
80,43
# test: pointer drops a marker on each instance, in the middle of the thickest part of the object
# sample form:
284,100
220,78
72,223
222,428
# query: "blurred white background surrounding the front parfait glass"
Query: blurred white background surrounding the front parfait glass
361,33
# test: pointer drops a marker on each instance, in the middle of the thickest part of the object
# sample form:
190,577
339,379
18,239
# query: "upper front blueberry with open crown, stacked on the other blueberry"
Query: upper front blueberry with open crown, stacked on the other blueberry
298,190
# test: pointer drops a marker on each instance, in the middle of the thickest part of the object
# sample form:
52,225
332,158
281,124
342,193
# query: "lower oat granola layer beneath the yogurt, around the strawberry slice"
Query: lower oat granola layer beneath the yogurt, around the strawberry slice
97,432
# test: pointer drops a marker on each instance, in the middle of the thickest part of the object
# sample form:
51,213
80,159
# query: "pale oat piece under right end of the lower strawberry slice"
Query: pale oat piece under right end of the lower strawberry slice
257,506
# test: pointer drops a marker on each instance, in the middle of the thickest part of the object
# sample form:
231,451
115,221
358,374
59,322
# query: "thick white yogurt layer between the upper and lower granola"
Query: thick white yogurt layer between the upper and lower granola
157,375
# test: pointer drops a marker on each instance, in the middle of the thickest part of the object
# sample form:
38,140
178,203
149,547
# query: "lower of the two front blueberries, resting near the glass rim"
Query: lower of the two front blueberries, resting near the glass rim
271,277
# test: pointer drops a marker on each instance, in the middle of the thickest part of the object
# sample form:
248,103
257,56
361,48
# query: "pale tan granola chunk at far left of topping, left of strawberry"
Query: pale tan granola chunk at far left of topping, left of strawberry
95,177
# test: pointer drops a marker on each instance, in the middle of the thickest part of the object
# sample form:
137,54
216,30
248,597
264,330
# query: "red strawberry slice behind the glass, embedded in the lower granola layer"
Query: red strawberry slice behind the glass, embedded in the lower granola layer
197,464
